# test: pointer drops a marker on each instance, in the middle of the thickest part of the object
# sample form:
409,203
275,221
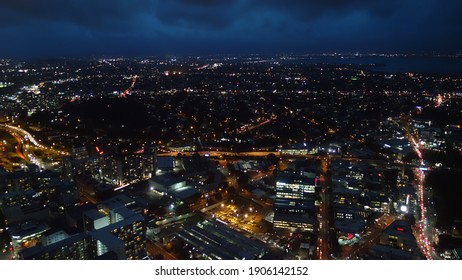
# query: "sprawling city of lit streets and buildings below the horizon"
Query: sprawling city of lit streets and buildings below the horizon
323,156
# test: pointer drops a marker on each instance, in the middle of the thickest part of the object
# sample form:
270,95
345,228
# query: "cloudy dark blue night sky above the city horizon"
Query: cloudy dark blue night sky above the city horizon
54,28
